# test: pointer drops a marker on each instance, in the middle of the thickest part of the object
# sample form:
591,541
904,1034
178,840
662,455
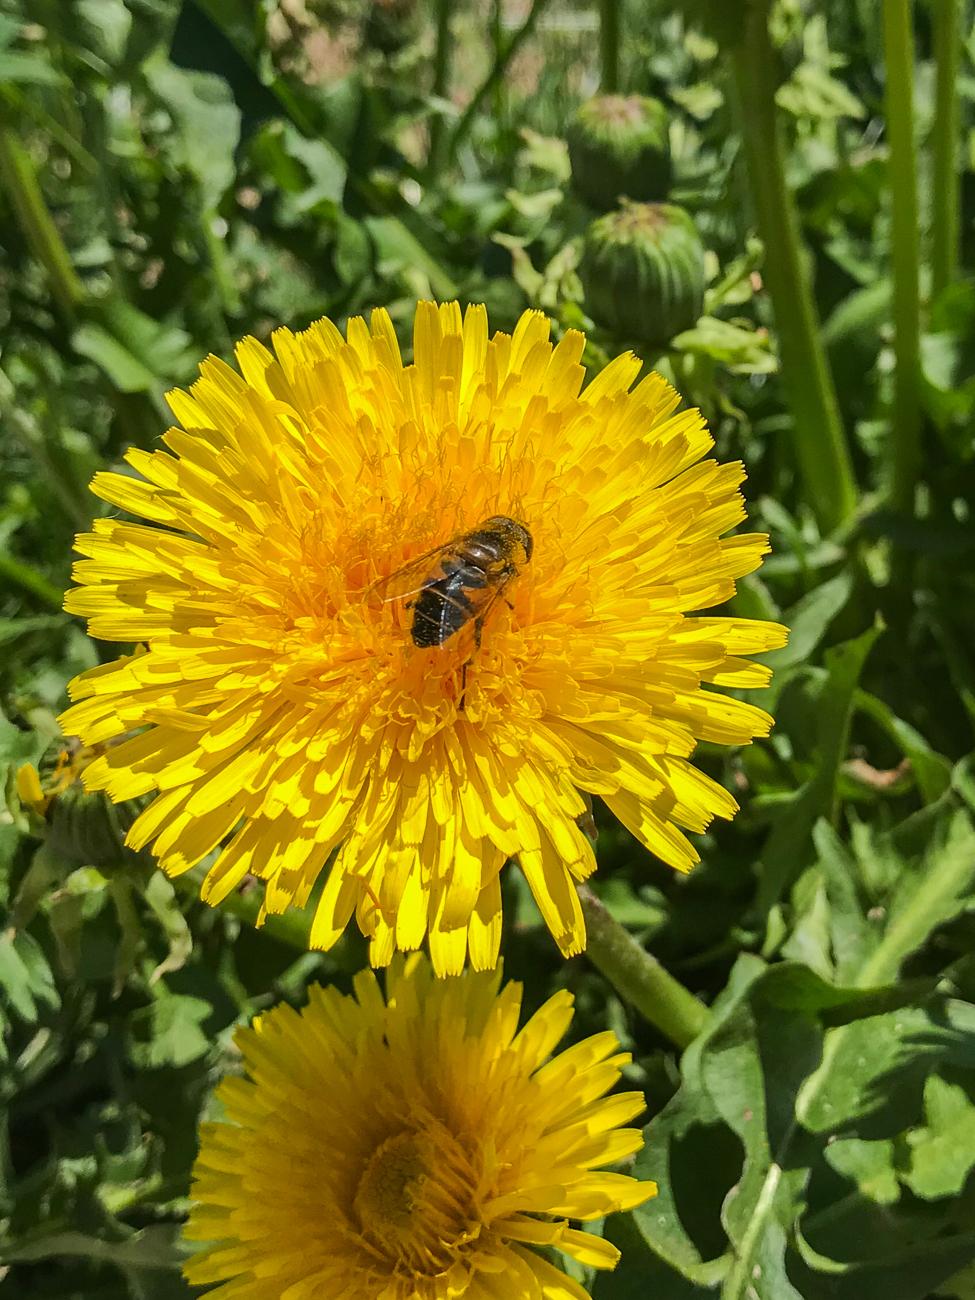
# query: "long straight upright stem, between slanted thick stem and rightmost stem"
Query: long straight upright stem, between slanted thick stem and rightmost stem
905,418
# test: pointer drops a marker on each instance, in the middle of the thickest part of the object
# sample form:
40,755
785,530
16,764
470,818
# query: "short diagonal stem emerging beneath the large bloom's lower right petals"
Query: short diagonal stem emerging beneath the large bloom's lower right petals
639,978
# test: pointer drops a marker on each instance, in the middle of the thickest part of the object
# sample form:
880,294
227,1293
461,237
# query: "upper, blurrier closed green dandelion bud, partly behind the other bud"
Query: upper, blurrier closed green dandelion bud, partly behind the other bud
619,148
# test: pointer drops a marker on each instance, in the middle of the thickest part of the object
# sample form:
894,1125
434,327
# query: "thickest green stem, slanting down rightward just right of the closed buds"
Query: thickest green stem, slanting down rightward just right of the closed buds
821,444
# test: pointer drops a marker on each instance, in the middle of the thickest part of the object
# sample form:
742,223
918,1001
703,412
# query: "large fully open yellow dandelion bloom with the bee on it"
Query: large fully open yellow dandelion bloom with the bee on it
301,687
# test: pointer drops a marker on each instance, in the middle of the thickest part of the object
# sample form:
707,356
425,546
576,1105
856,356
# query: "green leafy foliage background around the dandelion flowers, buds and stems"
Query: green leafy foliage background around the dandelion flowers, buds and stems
215,168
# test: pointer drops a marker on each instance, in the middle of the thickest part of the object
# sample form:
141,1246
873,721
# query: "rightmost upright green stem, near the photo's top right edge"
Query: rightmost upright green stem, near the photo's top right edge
946,137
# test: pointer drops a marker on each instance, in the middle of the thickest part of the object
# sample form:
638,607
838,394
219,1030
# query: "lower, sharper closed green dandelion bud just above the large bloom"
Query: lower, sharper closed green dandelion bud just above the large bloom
643,271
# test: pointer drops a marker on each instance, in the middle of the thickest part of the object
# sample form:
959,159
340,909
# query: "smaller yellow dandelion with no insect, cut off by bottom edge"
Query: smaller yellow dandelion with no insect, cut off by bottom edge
415,1149
